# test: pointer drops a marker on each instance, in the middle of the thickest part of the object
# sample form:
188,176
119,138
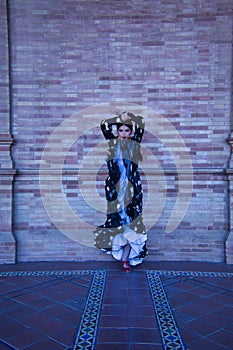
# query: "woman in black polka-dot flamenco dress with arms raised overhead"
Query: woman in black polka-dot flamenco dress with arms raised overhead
123,234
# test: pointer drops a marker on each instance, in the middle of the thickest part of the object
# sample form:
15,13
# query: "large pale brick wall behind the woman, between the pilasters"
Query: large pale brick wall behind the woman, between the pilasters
170,57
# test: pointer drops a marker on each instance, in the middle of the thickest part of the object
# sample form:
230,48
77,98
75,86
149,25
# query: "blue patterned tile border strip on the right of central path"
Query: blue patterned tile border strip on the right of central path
169,331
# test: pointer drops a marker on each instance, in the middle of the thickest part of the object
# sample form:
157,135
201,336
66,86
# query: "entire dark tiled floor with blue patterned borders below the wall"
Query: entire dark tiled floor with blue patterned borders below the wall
93,305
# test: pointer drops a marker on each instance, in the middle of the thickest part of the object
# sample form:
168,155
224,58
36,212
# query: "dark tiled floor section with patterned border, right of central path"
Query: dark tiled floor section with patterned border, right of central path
191,307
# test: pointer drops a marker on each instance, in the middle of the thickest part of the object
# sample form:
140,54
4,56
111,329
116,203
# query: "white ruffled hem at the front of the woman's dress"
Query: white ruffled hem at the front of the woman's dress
136,242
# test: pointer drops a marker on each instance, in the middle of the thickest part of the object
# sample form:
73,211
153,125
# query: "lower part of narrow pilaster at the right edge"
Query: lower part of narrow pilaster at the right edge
229,240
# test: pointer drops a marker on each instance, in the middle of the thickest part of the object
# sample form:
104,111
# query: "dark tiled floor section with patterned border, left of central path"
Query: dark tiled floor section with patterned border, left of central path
45,307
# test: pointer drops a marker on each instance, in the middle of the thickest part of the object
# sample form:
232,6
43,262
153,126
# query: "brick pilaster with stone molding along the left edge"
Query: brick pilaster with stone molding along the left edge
7,241
